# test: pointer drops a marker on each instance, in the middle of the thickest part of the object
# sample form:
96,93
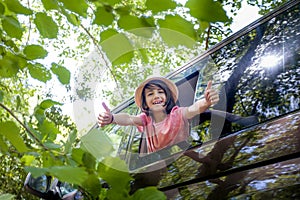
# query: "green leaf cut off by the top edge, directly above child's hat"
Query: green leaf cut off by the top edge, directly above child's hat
160,5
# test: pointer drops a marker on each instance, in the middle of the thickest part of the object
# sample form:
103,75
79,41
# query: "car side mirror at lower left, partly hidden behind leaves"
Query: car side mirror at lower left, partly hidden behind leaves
50,188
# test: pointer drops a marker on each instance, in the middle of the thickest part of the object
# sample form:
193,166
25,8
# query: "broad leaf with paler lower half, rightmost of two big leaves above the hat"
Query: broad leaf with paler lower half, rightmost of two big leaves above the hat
177,31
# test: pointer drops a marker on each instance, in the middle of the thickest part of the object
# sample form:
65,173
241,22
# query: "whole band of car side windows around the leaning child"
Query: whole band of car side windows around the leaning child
257,75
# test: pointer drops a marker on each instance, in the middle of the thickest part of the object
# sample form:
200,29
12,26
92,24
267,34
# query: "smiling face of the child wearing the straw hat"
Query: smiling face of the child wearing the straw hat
155,98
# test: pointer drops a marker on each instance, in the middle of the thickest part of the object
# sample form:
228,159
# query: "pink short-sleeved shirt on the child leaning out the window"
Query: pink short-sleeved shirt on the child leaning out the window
173,129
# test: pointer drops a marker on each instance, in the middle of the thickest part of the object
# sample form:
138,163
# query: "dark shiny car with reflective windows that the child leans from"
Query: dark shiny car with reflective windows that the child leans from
254,155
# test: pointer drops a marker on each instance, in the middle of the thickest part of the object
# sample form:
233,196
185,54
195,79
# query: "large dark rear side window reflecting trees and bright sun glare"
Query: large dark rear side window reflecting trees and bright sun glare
258,77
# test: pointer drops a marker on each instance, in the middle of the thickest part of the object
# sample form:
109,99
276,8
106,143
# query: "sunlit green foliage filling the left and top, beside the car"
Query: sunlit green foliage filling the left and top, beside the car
35,136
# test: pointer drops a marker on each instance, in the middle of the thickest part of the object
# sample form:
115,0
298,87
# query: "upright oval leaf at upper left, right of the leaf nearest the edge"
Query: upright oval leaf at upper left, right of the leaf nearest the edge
46,26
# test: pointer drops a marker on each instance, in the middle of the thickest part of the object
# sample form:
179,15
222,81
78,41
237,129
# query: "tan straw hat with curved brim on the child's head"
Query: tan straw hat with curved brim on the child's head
138,92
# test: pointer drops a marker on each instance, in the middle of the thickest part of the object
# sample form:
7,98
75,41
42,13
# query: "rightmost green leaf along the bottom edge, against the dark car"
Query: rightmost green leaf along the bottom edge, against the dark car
149,193
